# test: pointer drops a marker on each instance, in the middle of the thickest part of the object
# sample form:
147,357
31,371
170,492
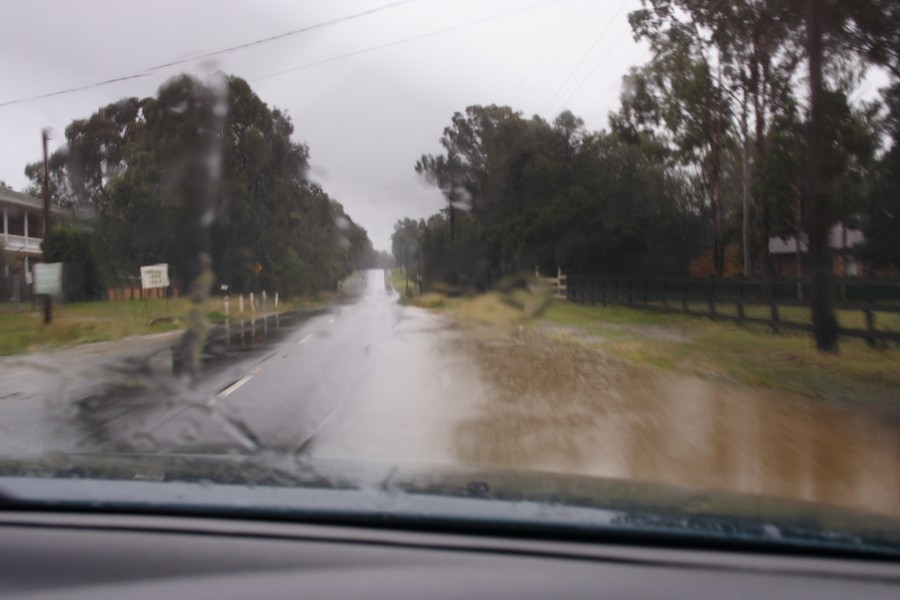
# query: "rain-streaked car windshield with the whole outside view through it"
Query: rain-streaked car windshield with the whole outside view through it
649,246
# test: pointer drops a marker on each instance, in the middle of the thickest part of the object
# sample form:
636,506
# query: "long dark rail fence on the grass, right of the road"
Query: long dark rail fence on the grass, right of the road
778,303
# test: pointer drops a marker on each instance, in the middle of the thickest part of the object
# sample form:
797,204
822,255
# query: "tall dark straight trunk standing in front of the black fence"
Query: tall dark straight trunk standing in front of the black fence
824,323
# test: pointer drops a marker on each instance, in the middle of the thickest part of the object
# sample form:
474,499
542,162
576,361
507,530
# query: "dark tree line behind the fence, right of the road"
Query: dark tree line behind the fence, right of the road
744,124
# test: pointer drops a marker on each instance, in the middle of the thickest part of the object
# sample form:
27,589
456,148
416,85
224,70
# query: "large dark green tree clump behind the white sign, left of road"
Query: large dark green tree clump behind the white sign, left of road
205,173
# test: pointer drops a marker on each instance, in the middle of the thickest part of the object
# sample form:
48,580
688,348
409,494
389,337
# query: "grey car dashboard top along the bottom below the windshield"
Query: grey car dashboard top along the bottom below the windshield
92,555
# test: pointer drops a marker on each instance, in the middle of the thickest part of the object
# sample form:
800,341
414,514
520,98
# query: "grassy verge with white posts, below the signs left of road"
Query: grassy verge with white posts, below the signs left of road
89,322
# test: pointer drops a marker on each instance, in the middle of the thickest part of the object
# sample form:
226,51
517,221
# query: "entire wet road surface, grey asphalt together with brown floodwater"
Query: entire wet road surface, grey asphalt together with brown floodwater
375,381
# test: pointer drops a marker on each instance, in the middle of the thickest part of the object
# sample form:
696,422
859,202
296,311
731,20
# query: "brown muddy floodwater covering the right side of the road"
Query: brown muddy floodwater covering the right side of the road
564,408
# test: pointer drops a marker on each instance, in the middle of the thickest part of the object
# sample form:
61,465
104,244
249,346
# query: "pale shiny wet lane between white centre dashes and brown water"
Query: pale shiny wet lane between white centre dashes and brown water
368,381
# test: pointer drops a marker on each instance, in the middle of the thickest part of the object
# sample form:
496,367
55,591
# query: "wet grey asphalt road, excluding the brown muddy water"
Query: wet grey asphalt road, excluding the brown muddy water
360,379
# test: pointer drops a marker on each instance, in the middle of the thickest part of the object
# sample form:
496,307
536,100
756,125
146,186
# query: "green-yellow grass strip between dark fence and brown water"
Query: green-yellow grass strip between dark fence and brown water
751,355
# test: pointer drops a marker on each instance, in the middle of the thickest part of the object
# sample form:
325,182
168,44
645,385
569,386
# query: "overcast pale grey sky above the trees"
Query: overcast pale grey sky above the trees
366,117
